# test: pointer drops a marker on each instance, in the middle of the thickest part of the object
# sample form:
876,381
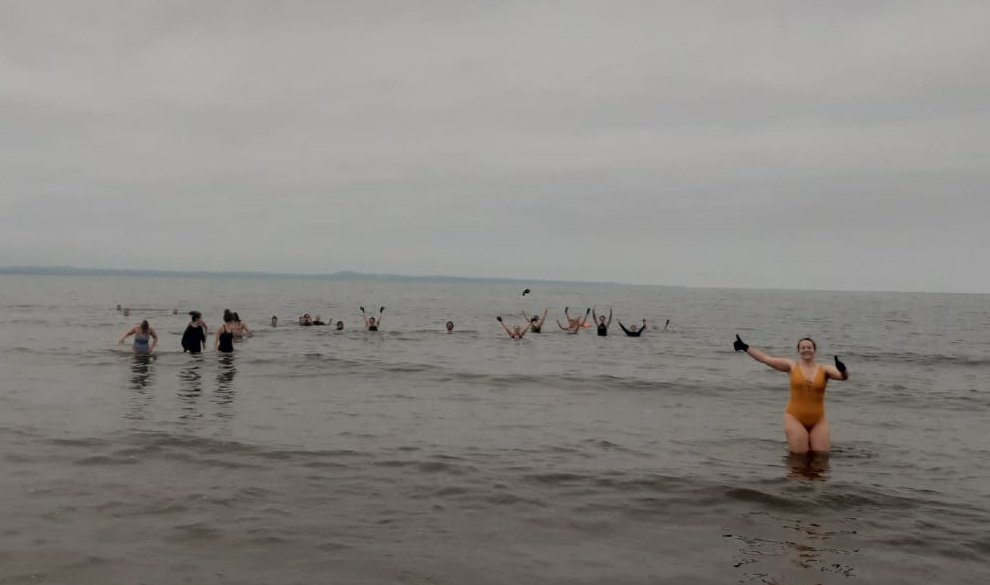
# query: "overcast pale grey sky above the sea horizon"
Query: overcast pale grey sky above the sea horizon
832,144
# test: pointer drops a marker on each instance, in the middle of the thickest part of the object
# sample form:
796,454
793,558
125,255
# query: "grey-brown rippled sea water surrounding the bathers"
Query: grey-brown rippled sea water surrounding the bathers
414,456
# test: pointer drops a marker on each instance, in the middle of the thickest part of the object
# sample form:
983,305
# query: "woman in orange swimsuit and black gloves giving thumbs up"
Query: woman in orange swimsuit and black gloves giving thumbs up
804,419
